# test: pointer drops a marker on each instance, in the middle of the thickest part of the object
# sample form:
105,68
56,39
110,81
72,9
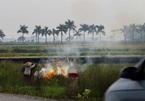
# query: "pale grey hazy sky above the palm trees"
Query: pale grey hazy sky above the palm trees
110,13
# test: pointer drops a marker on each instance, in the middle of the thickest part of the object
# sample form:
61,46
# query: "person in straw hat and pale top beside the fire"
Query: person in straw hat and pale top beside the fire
27,69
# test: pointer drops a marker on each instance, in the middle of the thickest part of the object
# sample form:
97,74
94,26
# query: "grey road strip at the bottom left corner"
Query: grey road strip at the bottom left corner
14,97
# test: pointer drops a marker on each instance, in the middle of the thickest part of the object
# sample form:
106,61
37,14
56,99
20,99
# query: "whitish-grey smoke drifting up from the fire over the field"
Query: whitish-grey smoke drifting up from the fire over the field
69,55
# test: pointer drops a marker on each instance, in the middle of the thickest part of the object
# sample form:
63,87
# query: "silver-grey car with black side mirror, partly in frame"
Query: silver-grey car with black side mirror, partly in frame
131,85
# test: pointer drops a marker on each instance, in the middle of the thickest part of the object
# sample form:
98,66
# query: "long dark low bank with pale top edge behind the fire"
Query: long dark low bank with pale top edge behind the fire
83,59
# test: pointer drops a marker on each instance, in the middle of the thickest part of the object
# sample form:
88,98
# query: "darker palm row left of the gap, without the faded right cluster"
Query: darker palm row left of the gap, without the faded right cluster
67,28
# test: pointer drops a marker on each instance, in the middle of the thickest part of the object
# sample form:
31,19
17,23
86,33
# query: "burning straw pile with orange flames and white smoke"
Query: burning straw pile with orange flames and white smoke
55,68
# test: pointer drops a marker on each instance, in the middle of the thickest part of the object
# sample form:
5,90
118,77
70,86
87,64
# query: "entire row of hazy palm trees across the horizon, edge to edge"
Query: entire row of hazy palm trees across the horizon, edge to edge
132,32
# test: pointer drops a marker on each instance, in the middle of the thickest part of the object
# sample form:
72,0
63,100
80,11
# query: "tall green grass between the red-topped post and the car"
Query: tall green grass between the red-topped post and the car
98,78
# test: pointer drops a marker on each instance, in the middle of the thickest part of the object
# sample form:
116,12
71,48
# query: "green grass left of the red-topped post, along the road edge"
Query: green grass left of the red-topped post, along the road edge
11,81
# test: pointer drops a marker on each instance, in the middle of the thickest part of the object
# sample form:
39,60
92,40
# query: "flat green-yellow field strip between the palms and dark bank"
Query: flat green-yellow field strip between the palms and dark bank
72,49
